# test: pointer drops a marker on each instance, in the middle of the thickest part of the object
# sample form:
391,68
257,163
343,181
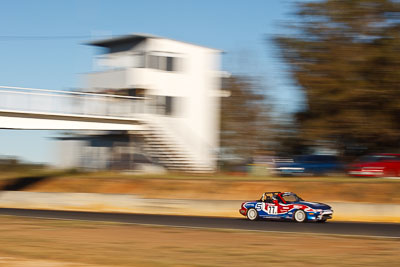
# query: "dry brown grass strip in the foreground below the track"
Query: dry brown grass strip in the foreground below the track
37,242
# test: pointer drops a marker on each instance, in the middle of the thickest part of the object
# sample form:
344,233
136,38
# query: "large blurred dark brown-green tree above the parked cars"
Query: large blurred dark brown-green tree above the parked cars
345,56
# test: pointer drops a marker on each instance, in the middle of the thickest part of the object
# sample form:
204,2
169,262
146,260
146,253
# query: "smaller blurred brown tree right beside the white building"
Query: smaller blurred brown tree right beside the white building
244,117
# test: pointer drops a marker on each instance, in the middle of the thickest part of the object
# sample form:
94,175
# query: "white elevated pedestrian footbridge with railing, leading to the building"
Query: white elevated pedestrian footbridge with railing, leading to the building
42,109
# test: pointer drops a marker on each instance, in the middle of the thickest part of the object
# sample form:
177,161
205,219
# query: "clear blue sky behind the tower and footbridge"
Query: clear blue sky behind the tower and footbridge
240,28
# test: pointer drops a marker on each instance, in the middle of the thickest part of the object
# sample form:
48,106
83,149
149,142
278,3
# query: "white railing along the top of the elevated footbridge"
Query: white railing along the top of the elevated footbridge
22,99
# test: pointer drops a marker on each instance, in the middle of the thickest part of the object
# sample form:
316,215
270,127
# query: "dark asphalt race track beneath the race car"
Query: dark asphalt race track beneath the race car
391,230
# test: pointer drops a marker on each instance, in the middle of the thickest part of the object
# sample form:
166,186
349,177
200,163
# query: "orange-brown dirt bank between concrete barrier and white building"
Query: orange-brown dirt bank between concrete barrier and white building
343,189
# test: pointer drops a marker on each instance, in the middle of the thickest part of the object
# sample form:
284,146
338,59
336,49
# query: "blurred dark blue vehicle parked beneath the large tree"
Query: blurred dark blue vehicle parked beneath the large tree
310,165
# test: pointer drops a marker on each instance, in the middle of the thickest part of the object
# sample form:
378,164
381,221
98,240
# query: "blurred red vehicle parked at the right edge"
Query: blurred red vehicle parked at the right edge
376,165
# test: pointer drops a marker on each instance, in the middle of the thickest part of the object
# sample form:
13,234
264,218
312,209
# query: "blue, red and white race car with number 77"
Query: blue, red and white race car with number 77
286,205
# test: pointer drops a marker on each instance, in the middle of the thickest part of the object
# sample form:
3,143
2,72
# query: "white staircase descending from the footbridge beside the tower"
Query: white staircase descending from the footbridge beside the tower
164,148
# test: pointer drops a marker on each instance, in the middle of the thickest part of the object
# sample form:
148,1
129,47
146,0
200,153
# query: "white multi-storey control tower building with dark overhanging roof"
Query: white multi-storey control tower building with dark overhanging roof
179,86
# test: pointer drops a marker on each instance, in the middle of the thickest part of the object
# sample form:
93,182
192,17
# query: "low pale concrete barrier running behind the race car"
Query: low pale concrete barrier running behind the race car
136,204
